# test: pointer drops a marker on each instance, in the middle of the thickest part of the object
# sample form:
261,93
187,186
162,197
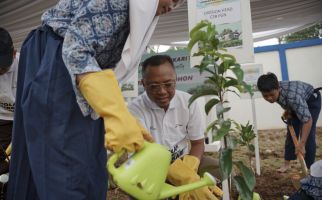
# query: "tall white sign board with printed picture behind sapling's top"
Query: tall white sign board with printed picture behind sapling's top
233,24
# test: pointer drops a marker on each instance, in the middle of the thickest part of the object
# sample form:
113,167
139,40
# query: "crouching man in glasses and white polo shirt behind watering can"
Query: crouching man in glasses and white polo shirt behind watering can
164,111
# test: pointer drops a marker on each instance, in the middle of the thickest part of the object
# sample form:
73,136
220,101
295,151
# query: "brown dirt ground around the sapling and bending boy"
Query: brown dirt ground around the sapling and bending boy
271,185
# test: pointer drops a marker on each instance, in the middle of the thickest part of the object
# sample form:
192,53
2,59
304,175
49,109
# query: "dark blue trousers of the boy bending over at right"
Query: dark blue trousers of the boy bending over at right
314,104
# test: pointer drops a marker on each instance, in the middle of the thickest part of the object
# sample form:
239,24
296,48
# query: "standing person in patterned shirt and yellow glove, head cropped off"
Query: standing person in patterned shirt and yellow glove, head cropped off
68,96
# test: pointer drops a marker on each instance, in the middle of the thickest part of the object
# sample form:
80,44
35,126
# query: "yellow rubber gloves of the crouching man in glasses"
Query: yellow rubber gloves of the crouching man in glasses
180,173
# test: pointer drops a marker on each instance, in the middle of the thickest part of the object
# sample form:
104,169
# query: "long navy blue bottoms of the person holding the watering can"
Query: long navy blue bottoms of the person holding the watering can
57,152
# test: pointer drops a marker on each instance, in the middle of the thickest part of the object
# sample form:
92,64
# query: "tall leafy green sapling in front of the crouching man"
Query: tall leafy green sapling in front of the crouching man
224,76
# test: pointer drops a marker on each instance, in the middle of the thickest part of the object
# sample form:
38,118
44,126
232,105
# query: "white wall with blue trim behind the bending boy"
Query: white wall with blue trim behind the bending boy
303,64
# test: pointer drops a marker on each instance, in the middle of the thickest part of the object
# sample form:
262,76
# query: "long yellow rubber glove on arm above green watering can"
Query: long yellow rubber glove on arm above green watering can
122,130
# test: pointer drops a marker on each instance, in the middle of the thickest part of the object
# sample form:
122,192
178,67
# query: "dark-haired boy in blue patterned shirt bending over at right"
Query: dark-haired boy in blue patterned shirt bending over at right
304,103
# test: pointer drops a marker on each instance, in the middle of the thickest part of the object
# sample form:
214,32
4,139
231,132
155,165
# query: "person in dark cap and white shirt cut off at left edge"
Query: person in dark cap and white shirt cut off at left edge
8,78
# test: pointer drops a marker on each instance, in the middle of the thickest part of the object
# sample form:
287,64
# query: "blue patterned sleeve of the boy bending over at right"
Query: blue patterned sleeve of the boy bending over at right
300,108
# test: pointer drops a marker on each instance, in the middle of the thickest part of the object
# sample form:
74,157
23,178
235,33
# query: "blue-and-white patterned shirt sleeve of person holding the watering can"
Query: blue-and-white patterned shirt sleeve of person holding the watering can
89,30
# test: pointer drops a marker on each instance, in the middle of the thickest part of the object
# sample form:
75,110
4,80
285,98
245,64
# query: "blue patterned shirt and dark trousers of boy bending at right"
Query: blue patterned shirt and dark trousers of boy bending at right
305,104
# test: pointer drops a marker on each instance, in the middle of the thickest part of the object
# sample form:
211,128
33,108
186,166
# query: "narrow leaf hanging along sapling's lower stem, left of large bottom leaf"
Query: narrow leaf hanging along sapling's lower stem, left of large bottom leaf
225,163
